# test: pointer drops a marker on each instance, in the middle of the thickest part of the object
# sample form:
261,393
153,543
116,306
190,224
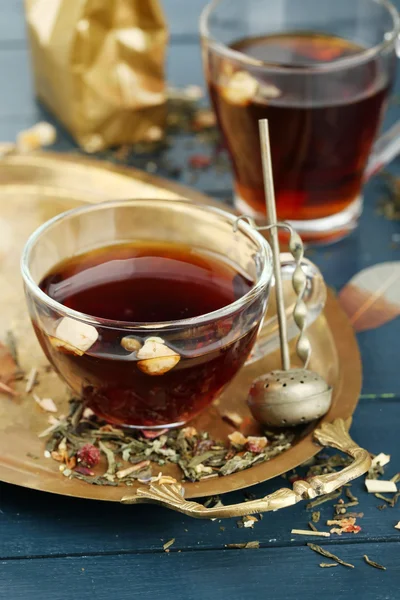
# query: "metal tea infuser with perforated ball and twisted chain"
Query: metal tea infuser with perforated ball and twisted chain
287,397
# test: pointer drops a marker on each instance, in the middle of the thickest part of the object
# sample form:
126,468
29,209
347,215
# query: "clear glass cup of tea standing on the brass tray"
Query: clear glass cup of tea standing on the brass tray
151,374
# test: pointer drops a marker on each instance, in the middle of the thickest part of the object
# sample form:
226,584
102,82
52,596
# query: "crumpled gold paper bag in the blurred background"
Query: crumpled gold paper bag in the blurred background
99,67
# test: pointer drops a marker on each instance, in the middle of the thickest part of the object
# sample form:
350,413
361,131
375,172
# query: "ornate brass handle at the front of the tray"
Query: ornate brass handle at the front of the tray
334,435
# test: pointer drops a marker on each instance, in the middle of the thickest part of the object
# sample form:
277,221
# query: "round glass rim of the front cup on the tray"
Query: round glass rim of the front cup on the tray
263,280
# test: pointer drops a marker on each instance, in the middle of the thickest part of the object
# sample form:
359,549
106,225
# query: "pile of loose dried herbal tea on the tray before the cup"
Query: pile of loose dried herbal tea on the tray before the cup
196,453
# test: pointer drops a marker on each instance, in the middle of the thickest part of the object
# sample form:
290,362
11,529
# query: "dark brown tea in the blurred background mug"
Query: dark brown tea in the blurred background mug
321,125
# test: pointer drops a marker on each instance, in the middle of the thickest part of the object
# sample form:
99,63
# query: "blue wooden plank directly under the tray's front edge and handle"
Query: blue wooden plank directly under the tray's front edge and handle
36,524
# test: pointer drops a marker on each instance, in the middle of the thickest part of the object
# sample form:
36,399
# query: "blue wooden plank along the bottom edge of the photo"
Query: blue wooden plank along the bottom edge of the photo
234,574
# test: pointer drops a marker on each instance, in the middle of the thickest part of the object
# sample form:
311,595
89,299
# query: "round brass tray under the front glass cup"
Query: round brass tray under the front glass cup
35,188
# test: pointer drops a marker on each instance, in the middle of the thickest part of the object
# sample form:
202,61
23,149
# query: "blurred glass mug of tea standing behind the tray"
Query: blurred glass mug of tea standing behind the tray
321,73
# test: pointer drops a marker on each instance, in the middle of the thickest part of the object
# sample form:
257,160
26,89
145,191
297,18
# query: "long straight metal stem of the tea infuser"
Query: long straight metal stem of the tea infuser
272,220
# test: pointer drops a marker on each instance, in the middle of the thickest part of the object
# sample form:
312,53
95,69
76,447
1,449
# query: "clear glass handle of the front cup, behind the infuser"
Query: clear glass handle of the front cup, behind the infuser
314,298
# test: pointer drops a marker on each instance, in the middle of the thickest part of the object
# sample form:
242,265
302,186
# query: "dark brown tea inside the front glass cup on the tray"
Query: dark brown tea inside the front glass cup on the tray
131,376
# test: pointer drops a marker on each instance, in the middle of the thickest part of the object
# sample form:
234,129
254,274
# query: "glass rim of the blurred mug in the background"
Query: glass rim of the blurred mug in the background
335,65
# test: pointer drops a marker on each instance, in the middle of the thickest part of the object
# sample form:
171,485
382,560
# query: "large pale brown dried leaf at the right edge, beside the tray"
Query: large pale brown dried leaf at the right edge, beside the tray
372,297
